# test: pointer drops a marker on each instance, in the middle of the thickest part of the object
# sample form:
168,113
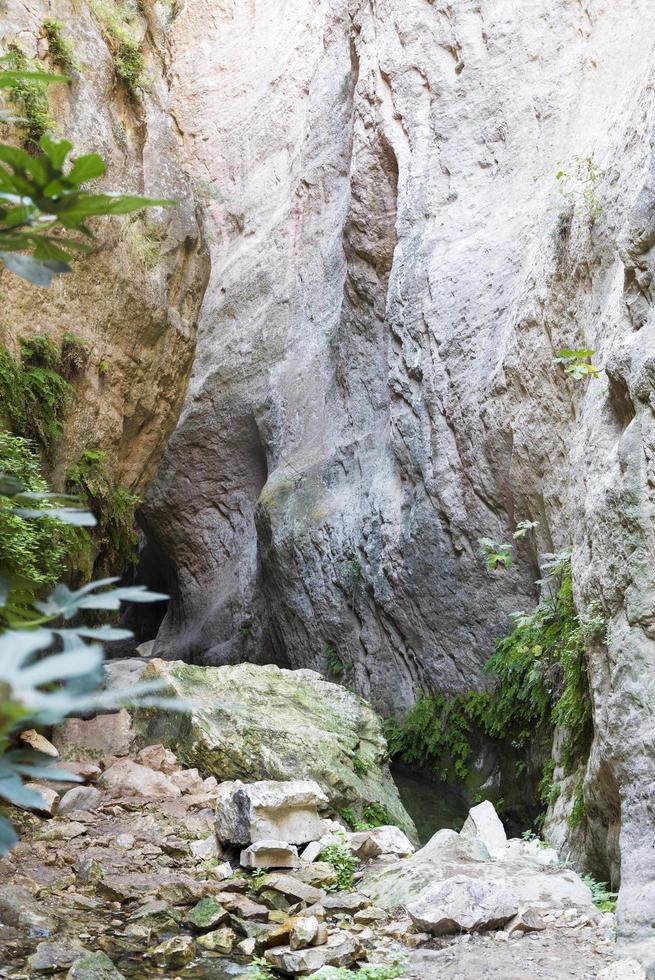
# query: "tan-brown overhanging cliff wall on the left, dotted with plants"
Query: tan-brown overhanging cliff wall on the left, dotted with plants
136,301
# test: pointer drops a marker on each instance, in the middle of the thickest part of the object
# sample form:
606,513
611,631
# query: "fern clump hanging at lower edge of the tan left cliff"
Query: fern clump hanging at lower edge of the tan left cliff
113,506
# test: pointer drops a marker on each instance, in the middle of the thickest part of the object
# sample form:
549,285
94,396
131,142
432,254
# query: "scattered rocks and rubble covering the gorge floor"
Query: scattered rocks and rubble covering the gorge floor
146,868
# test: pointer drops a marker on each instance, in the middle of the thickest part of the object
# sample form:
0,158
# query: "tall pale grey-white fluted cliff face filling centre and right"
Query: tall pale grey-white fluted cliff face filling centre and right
394,270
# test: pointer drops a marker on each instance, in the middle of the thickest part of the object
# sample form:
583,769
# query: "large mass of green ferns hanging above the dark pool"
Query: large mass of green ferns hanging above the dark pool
541,682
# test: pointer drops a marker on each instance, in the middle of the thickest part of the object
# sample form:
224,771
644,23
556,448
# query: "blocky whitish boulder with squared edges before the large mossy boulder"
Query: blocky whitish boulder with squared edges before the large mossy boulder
285,811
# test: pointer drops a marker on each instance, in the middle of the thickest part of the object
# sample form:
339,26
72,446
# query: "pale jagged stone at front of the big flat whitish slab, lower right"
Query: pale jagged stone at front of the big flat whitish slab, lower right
462,904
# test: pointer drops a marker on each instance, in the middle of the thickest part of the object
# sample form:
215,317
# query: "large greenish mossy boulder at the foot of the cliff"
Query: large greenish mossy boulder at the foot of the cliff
253,722
